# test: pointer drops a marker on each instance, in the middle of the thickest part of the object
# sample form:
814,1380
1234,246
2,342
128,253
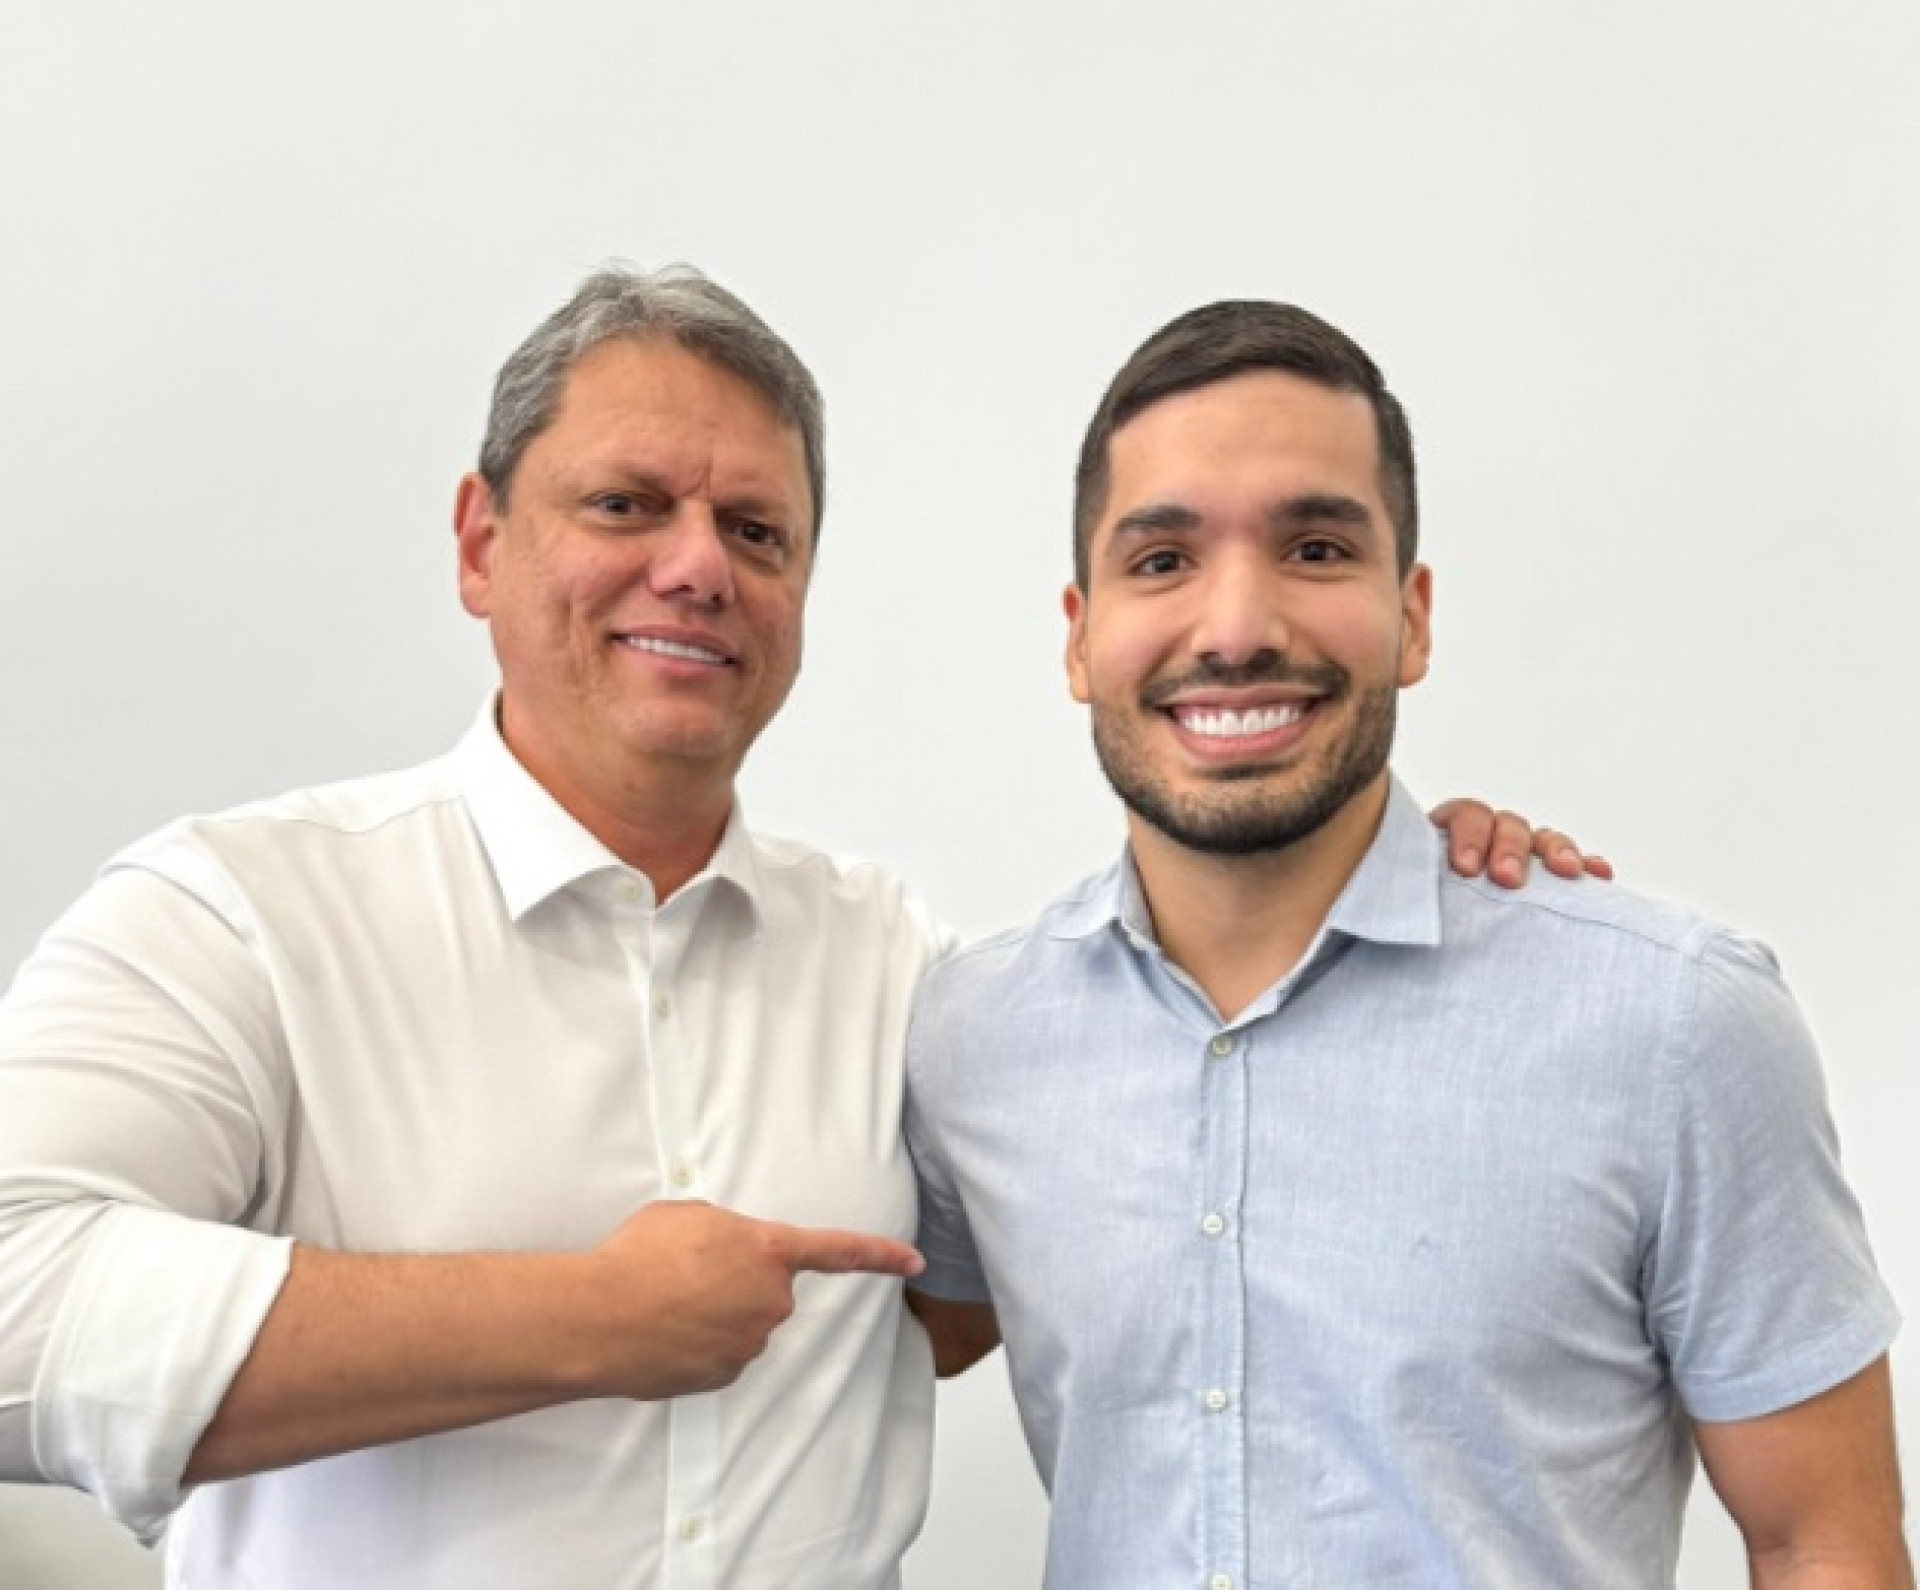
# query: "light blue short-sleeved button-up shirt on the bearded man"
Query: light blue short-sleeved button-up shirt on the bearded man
1408,1276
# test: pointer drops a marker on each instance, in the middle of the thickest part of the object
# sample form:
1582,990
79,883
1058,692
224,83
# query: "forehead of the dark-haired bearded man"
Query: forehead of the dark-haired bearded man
1260,431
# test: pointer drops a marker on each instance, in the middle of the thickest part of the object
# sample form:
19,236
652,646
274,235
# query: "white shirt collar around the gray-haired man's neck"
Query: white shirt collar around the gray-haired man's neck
539,848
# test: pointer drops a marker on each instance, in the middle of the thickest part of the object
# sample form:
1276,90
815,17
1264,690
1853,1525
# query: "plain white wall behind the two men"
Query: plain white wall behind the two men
1644,274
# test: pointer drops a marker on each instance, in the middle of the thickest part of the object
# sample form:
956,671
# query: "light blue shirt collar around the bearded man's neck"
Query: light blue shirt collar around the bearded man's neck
1393,896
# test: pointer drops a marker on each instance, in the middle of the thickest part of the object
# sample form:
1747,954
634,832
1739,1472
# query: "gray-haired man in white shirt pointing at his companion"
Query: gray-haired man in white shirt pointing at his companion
491,1172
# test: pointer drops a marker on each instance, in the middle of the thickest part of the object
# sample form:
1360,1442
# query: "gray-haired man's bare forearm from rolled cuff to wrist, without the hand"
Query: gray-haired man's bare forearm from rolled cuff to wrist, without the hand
370,1349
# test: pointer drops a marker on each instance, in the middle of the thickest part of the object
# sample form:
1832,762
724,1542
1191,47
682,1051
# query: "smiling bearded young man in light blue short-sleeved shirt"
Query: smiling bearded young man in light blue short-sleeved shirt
1351,1222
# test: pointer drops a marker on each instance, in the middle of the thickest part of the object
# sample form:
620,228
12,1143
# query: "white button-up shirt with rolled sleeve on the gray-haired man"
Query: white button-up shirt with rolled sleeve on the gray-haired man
431,1013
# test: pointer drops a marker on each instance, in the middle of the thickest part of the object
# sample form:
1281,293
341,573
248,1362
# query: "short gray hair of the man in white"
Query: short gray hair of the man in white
679,304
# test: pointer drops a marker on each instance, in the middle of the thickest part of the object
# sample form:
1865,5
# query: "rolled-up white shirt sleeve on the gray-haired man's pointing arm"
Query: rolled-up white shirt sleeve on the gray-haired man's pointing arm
143,1086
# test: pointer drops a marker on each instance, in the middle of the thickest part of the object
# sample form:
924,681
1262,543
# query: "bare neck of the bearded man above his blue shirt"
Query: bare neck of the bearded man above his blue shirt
1239,925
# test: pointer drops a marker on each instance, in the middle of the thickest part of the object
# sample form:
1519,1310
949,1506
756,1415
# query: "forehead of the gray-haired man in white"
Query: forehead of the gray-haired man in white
658,408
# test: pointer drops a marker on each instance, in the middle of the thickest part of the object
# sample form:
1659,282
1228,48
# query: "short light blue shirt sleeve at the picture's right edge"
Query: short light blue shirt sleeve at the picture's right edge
1760,1284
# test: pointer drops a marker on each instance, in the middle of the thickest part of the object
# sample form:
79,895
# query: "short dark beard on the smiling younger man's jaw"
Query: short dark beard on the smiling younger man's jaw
1239,817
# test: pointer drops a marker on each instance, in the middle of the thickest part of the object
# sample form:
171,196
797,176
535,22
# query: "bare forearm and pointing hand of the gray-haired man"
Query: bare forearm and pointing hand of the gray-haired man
368,1349
